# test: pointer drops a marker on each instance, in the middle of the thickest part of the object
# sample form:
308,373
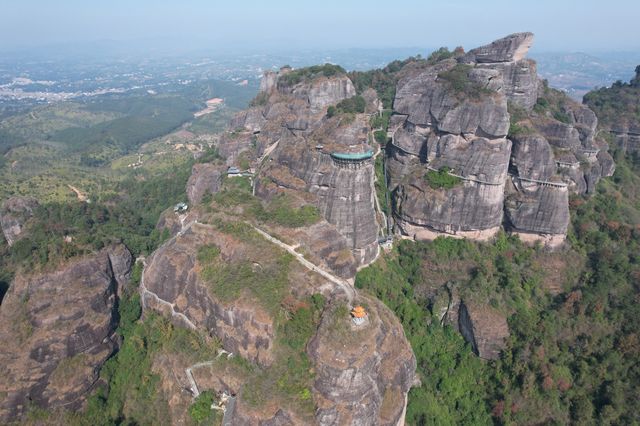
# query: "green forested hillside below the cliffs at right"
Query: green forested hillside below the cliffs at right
574,347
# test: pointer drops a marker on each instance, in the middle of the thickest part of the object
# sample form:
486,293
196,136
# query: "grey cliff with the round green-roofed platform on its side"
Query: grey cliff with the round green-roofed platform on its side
292,128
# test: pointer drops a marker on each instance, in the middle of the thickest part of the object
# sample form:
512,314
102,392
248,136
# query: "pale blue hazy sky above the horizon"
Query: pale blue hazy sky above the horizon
558,24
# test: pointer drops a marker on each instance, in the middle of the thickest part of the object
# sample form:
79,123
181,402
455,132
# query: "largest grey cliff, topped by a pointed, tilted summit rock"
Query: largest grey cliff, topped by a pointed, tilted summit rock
543,160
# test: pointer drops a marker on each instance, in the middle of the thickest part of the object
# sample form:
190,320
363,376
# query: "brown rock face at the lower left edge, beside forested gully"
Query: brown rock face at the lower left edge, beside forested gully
57,330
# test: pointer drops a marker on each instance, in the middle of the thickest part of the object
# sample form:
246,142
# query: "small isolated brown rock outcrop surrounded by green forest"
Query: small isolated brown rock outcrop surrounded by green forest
484,328
